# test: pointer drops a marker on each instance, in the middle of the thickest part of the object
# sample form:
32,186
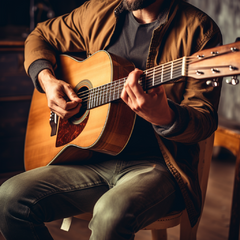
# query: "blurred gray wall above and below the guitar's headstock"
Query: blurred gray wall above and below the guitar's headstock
226,14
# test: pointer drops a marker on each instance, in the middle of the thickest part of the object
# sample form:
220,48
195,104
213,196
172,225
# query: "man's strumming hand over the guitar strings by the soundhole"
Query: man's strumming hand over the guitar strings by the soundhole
61,98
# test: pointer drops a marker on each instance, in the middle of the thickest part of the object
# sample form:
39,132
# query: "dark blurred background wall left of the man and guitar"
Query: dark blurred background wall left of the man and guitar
17,19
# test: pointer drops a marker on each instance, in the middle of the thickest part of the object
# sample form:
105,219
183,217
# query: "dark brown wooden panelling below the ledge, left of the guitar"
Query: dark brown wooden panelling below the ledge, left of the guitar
15,96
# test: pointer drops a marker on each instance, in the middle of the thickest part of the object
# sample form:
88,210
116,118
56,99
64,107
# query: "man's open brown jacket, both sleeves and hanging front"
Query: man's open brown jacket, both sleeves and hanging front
187,30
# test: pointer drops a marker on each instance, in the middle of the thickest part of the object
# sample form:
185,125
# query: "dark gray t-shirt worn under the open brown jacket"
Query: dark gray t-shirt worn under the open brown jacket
131,41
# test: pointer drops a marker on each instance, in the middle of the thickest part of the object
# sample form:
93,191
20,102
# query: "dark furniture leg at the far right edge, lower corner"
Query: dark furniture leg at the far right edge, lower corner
235,212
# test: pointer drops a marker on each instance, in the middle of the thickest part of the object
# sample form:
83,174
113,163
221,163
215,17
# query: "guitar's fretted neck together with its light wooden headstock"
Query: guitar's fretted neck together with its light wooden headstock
208,64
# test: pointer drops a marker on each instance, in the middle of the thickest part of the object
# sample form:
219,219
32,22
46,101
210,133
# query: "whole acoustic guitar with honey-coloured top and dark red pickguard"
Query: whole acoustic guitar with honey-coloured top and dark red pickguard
105,123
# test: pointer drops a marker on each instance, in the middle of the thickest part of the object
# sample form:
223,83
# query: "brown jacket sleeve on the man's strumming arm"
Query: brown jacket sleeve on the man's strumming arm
62,34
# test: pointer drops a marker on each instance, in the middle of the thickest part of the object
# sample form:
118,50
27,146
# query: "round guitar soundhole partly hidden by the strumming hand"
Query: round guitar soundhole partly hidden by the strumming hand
83,93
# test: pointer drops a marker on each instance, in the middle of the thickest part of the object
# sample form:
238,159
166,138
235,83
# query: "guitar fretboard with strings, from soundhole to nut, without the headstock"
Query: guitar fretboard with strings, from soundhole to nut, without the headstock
150,78
